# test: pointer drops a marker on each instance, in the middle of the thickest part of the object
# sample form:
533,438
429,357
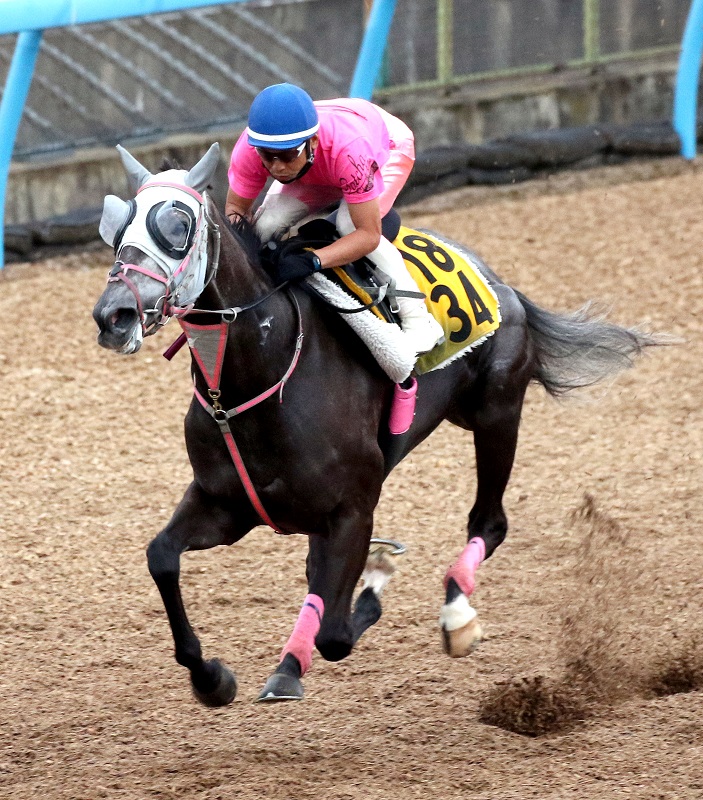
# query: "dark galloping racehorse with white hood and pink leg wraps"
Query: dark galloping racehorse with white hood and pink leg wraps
286,423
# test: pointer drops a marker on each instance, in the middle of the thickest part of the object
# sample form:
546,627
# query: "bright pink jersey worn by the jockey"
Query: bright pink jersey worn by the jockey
354,145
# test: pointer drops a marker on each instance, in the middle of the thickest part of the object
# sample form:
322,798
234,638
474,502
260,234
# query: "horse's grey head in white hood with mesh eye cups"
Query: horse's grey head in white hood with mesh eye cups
160,239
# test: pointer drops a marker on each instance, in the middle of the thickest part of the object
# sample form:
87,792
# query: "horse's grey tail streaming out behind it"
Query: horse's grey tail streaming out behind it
580,349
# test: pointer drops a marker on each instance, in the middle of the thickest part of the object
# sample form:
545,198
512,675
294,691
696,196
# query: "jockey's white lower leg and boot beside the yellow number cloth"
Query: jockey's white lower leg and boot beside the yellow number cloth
419,326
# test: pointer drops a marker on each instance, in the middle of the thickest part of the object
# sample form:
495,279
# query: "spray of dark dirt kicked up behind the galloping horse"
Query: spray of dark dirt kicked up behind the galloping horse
600,661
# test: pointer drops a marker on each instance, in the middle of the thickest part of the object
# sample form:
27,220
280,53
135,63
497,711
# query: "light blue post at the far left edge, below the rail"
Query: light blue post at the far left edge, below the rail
17,86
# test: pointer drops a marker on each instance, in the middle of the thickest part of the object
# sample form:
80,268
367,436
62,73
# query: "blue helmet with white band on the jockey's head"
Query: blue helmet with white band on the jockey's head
282,116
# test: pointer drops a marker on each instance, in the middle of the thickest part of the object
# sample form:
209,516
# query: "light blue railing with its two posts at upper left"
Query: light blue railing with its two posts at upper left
29,18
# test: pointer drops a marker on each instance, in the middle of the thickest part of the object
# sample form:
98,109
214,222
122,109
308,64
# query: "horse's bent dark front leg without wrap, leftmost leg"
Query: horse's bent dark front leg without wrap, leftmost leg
198,523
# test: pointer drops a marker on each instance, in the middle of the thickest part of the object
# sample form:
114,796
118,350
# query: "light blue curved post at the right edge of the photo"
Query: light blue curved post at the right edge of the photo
686,91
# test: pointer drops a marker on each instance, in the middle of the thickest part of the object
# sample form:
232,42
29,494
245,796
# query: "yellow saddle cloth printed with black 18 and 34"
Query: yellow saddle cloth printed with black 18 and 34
456,292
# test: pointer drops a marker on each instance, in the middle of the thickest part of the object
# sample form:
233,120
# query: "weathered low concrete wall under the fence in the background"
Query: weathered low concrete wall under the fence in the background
624,93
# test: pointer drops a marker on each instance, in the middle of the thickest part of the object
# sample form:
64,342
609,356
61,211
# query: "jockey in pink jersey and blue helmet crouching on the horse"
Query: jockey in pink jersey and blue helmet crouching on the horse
319,153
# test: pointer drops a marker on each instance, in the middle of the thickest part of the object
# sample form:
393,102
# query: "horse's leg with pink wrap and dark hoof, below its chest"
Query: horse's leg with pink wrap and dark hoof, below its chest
335,564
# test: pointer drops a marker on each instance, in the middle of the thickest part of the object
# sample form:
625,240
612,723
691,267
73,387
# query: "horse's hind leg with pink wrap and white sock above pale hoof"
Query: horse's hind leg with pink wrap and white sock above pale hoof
495,425
